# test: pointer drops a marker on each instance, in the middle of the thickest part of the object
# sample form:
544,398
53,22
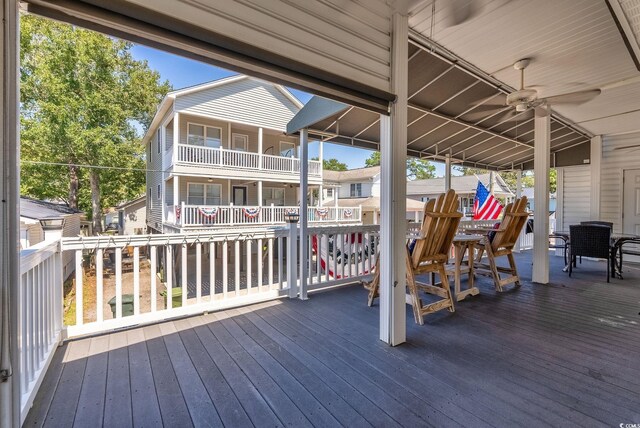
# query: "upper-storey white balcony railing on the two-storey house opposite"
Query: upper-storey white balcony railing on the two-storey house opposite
232,162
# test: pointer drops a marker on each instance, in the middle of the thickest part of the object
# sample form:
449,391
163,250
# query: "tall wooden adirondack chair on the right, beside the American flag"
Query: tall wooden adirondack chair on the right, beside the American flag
500,243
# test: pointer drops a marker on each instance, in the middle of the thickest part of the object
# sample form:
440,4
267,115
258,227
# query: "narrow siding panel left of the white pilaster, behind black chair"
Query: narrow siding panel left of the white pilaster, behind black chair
576,195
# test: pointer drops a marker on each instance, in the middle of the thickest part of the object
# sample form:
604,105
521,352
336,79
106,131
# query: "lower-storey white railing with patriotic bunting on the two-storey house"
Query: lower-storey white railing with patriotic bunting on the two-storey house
229,215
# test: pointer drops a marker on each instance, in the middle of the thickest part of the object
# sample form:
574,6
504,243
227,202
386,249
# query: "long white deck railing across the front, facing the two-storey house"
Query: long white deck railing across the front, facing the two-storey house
204,272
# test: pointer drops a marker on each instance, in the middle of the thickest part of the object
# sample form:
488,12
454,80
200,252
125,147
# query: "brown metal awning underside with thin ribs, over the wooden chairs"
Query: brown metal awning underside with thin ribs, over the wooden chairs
451,111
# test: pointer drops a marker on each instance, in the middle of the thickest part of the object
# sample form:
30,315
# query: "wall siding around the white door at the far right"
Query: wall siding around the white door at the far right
614,162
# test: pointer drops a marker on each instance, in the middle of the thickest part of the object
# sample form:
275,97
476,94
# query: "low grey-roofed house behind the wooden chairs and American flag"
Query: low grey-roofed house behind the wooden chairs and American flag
464,185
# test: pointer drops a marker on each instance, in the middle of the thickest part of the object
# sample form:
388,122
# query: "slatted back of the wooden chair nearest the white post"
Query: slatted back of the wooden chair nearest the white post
439,226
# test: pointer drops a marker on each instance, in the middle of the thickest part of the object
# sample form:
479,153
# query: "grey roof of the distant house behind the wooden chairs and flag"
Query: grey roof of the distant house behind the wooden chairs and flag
461,184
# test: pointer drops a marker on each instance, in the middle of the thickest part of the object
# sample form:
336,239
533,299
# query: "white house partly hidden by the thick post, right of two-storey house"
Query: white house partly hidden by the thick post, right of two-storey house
361,188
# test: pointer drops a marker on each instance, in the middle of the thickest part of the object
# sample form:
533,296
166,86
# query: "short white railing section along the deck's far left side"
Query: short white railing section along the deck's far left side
40,316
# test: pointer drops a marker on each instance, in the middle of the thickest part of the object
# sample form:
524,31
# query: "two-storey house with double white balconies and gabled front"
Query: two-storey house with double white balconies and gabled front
217,155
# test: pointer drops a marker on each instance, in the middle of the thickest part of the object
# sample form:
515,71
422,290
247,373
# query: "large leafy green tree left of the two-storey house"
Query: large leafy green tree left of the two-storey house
84,101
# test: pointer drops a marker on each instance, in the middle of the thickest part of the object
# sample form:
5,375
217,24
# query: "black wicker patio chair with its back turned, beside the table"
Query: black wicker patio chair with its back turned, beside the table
590,241
